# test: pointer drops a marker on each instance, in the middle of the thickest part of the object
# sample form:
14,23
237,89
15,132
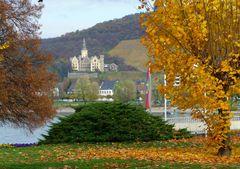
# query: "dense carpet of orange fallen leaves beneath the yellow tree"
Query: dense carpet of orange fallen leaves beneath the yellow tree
186,155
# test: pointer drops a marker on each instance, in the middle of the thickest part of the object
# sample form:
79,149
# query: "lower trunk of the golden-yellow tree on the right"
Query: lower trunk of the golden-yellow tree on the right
226,149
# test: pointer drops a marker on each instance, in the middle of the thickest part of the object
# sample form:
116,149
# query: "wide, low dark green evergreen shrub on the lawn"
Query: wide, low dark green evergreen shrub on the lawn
110,122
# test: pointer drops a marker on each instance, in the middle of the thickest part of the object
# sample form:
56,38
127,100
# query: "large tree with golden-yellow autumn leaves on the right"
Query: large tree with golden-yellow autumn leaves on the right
198,41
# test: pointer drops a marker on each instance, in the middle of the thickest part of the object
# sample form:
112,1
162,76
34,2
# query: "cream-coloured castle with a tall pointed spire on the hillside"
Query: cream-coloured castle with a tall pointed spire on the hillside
83,63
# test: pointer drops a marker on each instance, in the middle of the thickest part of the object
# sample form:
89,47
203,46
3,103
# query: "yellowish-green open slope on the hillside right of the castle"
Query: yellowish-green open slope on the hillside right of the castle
132,51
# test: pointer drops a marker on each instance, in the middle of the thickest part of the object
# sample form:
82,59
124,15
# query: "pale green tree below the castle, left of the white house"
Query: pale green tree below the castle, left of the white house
86,89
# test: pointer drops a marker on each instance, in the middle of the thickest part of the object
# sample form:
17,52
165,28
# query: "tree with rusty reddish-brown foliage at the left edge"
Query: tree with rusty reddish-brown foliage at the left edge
25,85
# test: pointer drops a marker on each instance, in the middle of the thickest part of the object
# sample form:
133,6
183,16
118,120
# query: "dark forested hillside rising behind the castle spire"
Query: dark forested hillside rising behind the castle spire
100,38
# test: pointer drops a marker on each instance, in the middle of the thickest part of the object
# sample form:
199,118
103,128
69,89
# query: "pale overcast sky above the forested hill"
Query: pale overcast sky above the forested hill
62,16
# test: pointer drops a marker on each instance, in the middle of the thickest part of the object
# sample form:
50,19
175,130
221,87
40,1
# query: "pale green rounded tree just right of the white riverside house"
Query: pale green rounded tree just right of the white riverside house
125,91
